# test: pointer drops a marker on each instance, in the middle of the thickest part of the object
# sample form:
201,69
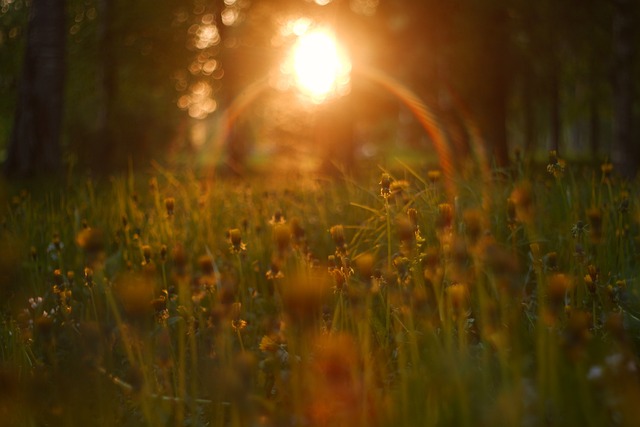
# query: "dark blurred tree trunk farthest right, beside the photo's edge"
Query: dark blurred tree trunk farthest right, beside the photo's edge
625,153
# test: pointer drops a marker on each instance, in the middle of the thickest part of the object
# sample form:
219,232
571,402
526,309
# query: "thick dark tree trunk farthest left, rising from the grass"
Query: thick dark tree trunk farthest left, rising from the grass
34,146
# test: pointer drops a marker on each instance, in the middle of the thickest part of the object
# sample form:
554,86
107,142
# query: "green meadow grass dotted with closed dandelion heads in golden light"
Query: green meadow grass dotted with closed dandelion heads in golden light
174,300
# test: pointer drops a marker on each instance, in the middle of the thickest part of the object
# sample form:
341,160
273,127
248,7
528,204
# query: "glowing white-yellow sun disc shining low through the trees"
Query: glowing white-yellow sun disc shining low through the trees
320,66
